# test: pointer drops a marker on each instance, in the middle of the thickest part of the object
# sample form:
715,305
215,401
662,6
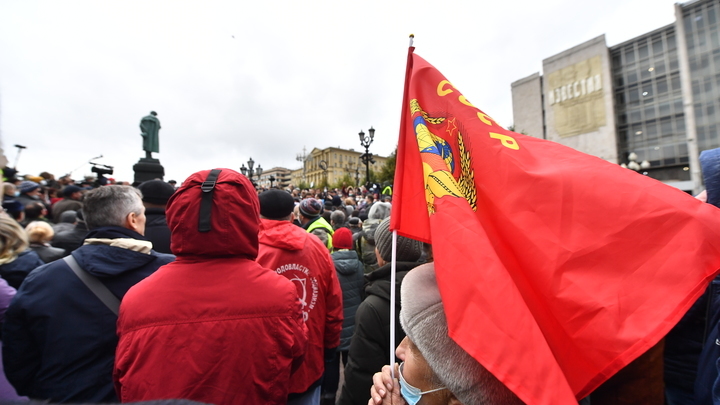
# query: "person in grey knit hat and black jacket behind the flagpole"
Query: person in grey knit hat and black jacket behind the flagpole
370,345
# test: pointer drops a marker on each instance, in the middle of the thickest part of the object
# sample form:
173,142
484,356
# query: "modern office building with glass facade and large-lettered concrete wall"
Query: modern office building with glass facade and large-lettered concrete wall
648,103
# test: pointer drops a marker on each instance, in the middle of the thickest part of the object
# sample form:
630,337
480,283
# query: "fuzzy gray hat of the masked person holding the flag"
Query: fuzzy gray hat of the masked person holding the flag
422,317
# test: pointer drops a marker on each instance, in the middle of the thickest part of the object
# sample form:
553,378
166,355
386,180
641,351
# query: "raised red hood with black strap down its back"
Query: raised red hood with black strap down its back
234,217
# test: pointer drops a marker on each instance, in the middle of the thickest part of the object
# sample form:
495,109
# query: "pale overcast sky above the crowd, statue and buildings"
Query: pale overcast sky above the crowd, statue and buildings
232,80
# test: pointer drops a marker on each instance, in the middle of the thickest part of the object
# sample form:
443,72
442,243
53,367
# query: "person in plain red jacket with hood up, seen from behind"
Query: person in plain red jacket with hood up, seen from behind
215,326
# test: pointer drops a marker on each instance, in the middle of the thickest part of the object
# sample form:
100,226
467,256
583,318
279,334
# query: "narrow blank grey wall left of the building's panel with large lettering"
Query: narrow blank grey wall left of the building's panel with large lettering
527,106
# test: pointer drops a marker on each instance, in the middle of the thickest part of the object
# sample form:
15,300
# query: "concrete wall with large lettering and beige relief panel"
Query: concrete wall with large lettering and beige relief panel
578,99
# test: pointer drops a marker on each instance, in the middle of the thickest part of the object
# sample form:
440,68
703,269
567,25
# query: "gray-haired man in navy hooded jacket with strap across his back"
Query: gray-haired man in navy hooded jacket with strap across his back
59,338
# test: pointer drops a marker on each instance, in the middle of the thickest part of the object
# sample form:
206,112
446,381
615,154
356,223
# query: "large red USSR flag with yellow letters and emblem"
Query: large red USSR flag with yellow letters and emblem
556,268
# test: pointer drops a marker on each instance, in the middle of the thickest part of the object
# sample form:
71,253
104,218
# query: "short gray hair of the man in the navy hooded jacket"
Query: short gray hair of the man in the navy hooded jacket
110,205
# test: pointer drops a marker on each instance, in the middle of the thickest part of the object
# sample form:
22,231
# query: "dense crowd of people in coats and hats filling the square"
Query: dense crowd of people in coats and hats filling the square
220,293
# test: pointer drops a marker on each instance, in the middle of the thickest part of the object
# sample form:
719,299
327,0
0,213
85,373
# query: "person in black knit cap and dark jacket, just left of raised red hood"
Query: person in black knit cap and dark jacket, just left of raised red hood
156,194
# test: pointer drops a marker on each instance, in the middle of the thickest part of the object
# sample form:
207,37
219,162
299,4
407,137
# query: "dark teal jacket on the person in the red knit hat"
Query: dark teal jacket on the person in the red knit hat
351,274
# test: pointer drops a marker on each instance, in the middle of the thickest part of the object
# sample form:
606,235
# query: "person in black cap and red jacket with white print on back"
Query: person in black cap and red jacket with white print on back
303,259
